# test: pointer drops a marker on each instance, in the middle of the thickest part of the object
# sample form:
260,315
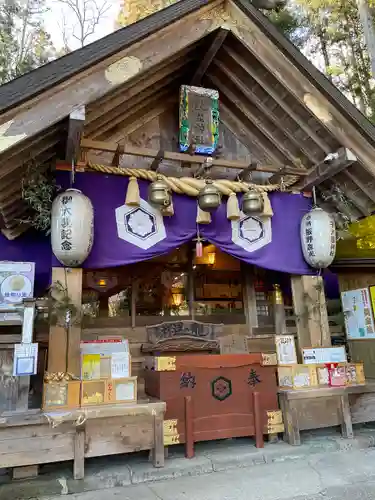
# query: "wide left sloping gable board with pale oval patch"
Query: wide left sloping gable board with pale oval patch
97,81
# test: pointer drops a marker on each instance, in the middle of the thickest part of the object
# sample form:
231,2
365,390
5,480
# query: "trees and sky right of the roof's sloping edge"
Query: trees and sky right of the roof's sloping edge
330,33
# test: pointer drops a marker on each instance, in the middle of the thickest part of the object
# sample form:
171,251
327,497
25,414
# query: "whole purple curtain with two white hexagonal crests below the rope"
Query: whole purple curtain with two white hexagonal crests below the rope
273,245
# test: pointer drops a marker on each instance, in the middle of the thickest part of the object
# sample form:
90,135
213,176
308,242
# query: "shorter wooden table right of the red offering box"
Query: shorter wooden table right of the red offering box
315,408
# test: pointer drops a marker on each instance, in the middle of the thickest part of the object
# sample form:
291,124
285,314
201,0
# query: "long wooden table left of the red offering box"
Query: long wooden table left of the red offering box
35,437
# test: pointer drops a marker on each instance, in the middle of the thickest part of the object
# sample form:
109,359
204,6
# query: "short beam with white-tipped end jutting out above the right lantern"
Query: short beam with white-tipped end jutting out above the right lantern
331,166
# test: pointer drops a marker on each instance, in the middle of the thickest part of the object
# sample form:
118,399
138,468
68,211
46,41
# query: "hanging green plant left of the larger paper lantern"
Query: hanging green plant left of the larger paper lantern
38,191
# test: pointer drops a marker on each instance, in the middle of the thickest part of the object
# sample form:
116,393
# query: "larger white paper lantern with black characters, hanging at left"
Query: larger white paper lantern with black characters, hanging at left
72,227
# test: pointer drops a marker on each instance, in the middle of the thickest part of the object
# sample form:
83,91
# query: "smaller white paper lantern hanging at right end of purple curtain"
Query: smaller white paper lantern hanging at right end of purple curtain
318,238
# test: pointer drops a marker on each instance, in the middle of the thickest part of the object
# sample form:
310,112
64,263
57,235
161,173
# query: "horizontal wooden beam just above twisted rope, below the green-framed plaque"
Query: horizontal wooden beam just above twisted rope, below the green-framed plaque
111,147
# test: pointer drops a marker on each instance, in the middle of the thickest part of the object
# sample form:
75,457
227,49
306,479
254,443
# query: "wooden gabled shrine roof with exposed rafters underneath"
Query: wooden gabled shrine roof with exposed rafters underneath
273,100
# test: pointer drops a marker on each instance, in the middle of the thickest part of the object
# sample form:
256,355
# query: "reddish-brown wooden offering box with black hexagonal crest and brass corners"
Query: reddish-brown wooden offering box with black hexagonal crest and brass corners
214,397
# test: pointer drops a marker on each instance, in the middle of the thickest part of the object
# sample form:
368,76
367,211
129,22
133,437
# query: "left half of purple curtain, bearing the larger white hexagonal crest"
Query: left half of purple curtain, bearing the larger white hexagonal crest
107,193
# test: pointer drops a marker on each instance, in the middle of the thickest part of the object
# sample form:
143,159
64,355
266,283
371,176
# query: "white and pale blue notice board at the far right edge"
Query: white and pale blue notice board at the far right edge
359,320
